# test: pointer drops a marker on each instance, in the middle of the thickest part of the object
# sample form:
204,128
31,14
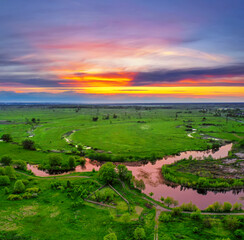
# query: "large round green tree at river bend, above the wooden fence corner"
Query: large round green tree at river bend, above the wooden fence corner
107,172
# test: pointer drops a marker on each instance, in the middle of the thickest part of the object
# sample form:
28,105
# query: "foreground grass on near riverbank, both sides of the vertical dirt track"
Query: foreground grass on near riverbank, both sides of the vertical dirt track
51,216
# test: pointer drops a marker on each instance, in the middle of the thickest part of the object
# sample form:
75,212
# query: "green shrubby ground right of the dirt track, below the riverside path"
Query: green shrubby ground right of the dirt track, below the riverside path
206,227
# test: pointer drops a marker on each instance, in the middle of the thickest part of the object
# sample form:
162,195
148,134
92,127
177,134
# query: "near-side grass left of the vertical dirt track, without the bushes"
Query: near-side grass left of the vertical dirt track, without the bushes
51,215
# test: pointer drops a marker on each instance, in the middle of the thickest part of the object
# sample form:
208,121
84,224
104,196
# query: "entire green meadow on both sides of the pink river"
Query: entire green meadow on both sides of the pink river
51,208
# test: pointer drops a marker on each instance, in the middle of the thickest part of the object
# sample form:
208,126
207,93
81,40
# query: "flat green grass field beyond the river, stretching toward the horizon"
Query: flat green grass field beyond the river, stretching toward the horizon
132,133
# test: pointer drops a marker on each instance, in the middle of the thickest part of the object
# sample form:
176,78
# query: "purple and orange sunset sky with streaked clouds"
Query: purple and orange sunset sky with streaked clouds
122,51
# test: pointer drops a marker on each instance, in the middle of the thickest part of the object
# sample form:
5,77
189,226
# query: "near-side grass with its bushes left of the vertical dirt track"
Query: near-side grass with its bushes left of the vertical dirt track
49,206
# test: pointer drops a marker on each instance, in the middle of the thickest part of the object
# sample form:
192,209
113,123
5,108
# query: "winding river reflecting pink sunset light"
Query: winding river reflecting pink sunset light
154,182
